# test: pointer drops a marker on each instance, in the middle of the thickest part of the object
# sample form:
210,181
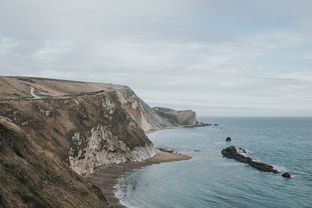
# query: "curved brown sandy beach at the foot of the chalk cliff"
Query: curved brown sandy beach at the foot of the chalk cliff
107,178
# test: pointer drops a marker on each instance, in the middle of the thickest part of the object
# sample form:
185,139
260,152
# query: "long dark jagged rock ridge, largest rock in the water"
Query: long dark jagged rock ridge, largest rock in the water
231,152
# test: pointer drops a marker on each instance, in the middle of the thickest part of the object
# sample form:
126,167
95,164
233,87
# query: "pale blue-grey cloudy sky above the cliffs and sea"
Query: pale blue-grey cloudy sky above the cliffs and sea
216,57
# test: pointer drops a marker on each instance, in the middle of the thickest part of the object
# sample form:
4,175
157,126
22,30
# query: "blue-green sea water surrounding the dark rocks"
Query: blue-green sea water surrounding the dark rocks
209,180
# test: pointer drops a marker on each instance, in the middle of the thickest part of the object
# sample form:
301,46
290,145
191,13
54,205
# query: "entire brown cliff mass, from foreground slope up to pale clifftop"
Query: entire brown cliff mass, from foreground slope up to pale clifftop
52,132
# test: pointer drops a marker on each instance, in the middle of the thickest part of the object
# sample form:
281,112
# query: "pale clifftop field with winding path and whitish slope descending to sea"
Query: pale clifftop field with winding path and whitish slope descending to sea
19,88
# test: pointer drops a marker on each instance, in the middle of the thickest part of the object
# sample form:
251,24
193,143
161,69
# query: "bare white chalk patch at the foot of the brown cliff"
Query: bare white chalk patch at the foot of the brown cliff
103,148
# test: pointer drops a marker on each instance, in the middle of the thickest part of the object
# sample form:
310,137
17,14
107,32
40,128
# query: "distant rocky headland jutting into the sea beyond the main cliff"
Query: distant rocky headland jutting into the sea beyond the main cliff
183,117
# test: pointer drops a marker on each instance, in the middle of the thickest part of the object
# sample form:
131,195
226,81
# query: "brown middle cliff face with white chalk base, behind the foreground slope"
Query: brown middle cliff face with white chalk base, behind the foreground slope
93,130
